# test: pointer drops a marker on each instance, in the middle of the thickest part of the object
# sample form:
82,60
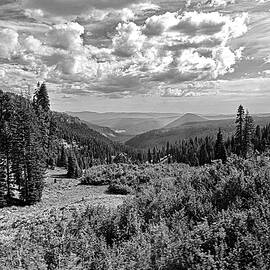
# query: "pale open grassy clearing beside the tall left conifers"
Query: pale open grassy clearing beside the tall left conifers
60,194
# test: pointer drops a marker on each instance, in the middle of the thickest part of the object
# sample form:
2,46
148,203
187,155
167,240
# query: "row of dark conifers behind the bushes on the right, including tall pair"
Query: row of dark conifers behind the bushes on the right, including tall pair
246,140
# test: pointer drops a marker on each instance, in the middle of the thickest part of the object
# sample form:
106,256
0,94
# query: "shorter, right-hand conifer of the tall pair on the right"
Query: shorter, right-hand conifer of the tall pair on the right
248,134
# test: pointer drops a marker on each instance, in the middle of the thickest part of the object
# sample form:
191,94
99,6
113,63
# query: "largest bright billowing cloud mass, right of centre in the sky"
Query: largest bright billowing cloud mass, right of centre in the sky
173,48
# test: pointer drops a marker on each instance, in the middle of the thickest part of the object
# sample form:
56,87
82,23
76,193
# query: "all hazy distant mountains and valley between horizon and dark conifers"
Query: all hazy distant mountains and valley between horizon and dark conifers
143,130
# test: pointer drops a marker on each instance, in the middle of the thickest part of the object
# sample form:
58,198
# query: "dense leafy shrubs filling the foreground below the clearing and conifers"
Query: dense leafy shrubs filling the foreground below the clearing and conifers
211,217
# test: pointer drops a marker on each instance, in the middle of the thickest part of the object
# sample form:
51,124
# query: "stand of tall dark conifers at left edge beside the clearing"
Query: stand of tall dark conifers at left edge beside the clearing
24,139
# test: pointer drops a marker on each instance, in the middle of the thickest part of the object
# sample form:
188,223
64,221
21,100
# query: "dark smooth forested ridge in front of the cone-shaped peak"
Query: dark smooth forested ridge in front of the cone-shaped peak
160,137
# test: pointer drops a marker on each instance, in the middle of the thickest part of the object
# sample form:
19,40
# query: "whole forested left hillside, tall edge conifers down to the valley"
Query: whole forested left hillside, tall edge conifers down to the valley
32,137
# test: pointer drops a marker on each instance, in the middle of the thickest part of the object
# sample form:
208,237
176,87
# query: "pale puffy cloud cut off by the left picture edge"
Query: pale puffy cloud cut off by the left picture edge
8,42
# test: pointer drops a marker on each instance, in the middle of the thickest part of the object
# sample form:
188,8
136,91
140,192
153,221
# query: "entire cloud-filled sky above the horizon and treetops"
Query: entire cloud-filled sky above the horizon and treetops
204,56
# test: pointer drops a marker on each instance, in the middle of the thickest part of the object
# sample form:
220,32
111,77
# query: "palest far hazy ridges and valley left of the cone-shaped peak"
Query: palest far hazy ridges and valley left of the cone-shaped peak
127,124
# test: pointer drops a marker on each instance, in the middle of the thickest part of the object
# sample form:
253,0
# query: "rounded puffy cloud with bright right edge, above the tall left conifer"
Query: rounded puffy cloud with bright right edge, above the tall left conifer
66,36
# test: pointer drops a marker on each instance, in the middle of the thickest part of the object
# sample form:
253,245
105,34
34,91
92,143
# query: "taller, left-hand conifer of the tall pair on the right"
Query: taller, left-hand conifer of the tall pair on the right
239,135
